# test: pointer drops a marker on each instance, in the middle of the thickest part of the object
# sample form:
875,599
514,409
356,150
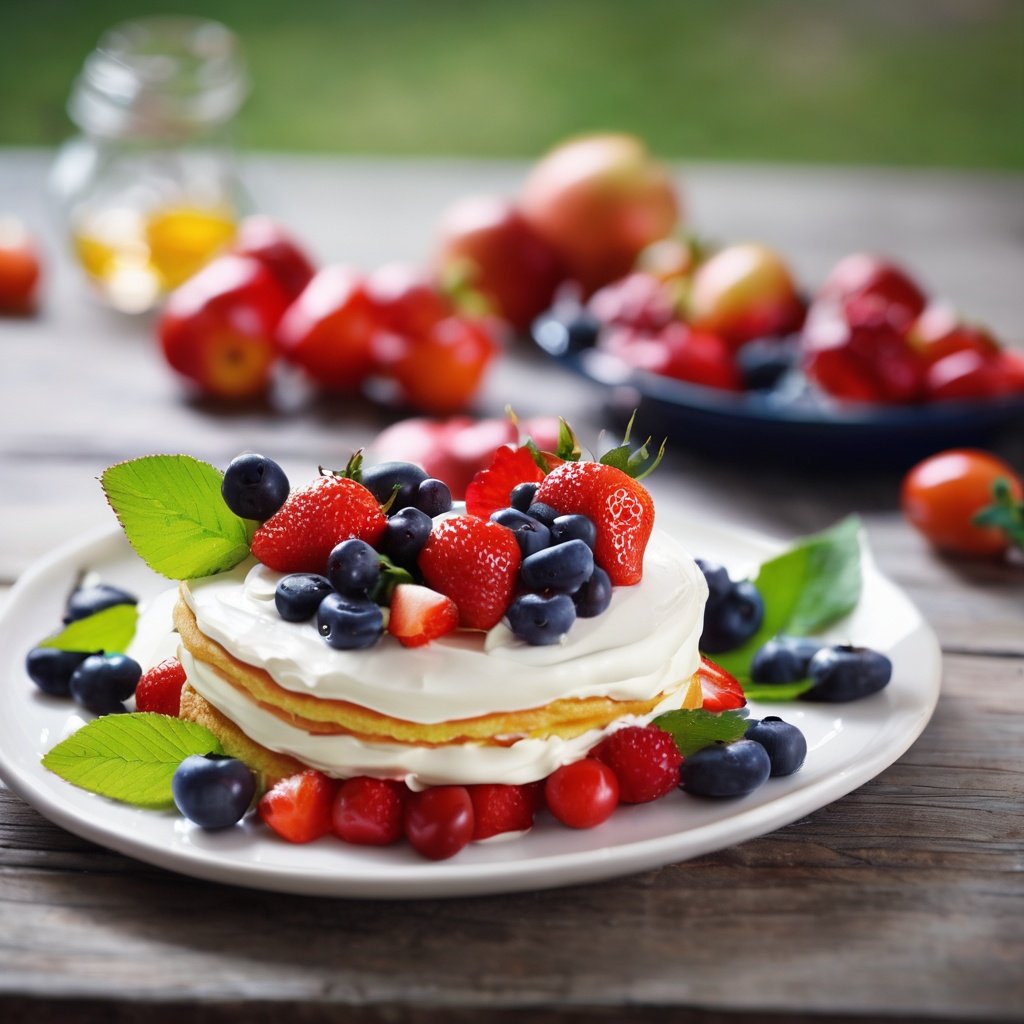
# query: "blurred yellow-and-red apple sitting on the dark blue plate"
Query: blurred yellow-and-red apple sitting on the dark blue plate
743,292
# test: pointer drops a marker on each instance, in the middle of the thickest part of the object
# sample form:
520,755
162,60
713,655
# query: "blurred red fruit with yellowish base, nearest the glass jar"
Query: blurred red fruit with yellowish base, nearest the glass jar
218,328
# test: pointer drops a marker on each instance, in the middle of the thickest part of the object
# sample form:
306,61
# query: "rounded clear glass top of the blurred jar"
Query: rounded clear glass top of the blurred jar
160,78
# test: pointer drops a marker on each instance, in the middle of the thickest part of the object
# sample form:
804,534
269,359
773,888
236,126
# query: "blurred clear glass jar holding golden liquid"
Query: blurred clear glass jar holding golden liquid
150,189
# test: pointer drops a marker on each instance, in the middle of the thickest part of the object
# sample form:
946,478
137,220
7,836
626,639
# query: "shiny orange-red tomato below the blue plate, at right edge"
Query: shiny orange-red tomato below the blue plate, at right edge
942,496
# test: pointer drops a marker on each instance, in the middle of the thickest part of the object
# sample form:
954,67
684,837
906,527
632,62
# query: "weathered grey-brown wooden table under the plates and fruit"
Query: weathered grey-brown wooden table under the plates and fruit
904,901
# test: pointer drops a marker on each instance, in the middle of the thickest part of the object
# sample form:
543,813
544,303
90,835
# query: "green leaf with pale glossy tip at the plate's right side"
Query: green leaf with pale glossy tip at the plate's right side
805,589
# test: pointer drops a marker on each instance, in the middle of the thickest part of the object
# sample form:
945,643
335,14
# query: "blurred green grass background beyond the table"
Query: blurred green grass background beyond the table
911,82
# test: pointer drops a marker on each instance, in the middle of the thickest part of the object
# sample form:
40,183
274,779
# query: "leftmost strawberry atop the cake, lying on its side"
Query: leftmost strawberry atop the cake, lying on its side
303,533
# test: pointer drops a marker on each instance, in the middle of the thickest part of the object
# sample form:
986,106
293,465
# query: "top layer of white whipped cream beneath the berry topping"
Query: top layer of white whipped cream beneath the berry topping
645,645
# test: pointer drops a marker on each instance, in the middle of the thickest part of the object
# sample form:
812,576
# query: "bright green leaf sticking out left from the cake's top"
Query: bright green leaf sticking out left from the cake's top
175,518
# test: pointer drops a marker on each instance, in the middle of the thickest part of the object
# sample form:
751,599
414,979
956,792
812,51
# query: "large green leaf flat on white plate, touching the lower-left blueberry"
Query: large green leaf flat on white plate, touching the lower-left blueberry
131,758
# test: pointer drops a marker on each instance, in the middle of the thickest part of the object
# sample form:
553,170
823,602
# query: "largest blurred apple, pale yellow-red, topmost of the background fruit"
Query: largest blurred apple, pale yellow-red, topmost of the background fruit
600,201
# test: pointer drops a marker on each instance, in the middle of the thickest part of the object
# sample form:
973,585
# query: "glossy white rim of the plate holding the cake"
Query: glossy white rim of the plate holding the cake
455,878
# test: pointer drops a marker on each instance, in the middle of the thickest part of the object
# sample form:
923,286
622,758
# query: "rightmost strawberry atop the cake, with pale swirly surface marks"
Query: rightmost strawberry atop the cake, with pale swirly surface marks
620,507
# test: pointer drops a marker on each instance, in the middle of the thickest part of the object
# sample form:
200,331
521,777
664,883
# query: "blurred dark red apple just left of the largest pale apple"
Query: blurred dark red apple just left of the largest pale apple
487,239
